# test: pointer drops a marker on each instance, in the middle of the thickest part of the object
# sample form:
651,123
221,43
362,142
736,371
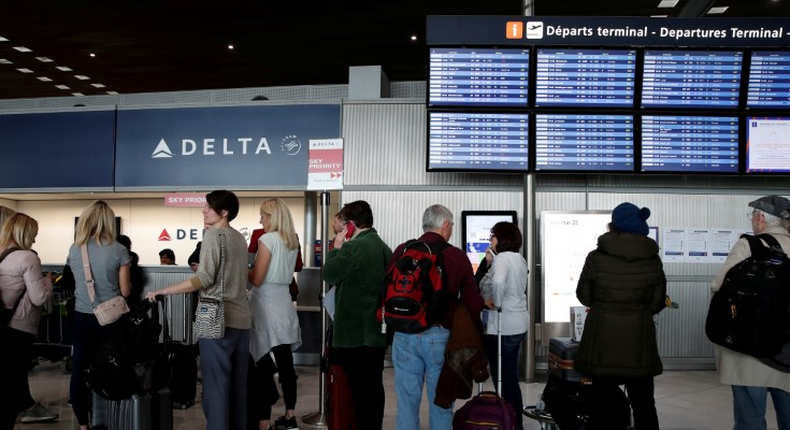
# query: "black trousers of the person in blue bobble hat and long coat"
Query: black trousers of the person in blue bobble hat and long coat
608,408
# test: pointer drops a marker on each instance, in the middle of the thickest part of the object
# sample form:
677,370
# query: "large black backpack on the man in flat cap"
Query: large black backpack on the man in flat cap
751,311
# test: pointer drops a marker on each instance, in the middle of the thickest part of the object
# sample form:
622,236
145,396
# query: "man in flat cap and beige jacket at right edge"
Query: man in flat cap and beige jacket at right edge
750,379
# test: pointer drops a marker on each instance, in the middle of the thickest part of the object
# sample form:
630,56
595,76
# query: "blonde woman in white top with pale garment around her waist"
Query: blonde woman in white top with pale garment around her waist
275,325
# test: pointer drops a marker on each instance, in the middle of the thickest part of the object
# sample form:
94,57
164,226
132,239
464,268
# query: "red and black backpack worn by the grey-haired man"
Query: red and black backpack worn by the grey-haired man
413,295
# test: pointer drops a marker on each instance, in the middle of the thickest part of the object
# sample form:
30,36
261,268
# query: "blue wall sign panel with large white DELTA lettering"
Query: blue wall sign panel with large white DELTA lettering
239,147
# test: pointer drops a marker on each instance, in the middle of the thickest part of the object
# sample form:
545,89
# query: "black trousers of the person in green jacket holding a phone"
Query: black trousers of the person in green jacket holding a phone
364,369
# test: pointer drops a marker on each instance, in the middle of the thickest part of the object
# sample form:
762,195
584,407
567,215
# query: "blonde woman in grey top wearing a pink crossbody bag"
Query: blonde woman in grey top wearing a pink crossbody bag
109,265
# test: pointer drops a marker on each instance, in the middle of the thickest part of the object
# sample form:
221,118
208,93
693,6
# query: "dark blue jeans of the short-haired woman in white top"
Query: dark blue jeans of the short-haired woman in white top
511,391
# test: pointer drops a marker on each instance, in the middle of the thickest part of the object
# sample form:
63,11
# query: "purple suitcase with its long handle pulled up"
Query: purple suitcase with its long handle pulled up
487,411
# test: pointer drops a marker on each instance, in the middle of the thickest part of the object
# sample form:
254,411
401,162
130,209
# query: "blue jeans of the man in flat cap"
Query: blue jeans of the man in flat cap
749,407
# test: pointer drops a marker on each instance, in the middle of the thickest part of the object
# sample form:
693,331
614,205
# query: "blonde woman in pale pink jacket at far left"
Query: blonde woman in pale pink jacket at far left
24,289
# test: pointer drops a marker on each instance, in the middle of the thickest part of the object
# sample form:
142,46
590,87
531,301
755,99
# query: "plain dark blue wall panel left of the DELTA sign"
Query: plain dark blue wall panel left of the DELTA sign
64,150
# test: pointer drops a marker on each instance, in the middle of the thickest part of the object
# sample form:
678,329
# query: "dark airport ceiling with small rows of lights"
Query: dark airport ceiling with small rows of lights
170,45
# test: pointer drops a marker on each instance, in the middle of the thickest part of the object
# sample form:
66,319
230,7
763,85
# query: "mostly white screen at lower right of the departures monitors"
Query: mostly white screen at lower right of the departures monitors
768,145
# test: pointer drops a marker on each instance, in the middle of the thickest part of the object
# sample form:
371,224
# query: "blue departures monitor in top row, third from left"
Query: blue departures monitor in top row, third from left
691,79
